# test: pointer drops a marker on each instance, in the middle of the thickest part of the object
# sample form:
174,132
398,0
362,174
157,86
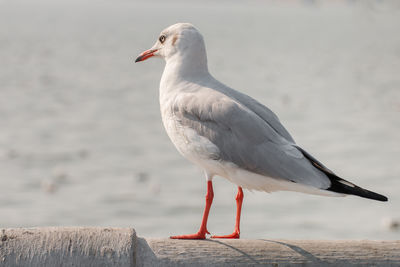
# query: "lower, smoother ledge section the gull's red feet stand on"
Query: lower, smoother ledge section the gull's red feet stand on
167,252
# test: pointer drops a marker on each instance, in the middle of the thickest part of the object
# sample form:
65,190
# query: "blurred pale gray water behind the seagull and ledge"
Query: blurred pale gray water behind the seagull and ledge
81,138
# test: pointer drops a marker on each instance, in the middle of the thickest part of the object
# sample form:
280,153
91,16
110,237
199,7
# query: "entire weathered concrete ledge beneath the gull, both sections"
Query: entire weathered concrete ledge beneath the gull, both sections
121,247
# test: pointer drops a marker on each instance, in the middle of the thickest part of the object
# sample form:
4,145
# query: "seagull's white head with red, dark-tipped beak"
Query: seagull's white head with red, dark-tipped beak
180,45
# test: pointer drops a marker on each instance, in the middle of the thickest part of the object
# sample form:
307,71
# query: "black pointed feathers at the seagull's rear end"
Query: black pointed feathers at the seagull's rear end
340,185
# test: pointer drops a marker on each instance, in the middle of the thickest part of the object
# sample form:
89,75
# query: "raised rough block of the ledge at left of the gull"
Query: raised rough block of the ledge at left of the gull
74,246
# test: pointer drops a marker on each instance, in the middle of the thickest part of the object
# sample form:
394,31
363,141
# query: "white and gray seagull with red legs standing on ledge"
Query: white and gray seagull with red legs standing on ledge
229,134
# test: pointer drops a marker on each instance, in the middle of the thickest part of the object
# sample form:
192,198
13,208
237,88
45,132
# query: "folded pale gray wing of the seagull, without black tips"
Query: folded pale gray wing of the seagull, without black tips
256,143
